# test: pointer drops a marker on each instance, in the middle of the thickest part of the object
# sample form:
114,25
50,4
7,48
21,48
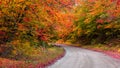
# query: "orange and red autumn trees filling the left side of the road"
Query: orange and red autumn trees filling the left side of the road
27,24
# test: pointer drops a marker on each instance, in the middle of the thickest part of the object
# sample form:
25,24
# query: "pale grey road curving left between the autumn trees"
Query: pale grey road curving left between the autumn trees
83,58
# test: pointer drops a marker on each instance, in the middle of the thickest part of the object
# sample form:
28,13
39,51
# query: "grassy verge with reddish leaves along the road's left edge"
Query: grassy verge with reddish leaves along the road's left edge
42,59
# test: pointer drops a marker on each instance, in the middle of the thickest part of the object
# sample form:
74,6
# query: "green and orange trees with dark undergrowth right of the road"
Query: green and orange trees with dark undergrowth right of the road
97,21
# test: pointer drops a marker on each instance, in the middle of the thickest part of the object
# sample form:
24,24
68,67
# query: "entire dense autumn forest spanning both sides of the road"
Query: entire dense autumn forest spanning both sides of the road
28,27
